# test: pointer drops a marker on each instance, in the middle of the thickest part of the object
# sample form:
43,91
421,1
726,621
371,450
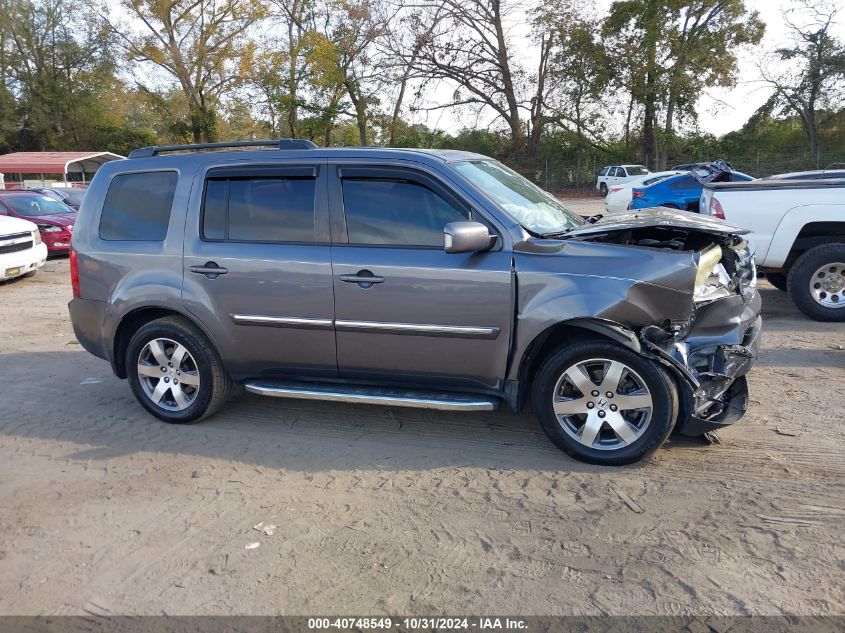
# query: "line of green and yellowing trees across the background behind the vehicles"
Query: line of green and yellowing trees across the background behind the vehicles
336,71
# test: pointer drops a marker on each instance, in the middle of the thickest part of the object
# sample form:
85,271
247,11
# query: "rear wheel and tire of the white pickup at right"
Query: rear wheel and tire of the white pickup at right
816,282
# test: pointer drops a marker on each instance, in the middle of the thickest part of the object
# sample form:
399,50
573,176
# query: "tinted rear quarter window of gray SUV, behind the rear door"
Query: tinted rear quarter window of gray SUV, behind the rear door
137,206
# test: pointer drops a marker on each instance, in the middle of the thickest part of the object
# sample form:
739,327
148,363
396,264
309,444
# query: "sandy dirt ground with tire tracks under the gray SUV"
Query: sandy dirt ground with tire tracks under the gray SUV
105,510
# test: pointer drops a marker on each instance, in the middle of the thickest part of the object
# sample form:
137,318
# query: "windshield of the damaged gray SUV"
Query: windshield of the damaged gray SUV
537,211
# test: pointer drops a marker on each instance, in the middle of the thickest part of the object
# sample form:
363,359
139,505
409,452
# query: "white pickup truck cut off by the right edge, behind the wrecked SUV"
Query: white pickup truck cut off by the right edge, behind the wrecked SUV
797,233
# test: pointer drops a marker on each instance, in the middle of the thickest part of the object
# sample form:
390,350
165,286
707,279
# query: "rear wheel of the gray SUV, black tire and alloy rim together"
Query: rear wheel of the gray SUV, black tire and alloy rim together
204,384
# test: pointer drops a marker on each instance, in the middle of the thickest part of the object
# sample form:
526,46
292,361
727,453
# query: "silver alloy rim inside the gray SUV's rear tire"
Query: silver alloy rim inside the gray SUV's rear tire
168,374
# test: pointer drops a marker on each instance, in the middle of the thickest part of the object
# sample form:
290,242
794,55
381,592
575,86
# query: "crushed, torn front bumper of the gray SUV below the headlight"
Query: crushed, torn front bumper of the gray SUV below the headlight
711,355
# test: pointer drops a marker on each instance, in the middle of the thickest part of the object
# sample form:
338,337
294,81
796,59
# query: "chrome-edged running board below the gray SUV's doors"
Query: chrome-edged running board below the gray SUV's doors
413,398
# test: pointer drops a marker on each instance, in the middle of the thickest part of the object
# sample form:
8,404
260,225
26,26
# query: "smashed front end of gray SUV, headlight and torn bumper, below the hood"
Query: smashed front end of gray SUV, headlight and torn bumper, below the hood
712,349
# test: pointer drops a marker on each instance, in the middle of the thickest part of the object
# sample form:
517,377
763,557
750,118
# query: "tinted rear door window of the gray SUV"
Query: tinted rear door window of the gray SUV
260,209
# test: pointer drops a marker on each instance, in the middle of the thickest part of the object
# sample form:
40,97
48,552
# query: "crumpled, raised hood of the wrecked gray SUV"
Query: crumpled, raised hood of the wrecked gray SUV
656,217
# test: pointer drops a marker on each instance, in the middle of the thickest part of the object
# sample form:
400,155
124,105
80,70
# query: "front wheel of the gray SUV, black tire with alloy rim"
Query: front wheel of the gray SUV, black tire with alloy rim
645,428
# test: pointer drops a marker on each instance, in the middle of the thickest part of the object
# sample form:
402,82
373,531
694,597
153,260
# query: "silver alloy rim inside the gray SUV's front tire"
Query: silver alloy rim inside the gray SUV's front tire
603,404
